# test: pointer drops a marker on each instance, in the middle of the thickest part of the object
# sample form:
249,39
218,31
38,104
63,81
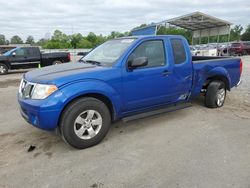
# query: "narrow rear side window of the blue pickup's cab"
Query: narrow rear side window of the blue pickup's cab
178,51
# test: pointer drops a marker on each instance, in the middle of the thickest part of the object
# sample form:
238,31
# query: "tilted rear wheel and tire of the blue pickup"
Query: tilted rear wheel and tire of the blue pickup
215,94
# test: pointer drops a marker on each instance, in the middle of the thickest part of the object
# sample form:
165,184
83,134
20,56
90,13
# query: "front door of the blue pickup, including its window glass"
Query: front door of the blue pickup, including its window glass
149,85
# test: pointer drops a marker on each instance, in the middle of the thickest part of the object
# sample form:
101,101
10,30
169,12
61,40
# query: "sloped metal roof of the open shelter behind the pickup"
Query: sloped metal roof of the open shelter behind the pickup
196,21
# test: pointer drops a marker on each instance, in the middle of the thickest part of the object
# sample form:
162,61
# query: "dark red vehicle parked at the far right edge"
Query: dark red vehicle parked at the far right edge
239,48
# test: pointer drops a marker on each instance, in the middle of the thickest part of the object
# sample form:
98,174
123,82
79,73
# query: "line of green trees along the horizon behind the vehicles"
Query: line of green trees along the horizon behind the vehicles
60,40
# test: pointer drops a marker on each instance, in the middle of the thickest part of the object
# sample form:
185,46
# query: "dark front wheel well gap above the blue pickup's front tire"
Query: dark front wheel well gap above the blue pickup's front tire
98,96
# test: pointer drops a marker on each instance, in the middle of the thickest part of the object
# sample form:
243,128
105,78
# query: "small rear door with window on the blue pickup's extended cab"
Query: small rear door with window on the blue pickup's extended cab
182,68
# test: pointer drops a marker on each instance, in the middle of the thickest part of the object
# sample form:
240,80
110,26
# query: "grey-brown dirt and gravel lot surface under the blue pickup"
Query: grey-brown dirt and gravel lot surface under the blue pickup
193,147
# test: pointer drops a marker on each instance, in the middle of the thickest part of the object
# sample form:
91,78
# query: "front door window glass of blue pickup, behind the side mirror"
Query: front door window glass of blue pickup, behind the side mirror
153,50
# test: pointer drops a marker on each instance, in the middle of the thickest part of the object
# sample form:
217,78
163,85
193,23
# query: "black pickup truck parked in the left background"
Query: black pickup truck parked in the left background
30,57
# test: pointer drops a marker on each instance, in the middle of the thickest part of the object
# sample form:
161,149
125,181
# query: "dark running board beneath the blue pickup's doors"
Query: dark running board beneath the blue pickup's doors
155,112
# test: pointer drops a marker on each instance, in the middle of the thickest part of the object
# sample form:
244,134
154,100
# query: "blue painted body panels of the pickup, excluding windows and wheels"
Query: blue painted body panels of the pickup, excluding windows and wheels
129,91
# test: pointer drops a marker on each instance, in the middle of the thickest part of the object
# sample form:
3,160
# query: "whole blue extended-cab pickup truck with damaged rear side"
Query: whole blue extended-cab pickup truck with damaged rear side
124,78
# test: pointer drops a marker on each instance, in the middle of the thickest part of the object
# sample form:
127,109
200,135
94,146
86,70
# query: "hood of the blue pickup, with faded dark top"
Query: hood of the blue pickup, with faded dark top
62,74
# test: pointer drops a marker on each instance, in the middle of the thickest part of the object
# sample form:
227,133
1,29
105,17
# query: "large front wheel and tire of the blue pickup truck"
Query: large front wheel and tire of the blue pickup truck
76,122
